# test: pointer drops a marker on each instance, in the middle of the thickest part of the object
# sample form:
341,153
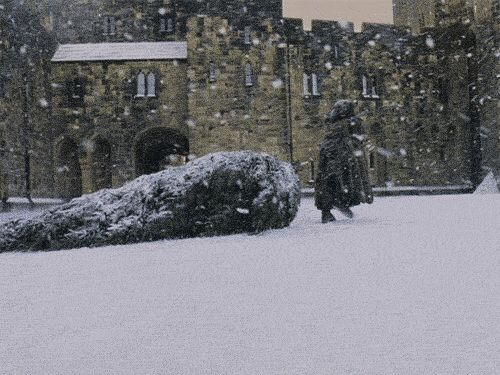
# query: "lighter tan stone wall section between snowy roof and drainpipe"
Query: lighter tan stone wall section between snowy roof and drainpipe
241,105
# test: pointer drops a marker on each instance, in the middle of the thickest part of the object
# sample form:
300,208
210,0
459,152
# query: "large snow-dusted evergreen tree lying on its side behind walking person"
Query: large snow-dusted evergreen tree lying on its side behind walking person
221,193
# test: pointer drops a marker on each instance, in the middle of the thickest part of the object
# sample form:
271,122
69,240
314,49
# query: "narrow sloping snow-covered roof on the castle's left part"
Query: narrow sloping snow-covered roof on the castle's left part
121,51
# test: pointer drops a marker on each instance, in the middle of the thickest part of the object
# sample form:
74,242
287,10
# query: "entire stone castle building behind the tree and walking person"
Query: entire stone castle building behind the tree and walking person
113,89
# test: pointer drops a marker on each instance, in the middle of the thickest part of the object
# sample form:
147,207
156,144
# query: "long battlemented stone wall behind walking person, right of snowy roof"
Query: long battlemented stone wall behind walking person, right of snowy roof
408,119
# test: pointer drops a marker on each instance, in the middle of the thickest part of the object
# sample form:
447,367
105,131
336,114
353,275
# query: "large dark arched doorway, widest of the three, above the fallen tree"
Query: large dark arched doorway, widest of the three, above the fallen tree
155,148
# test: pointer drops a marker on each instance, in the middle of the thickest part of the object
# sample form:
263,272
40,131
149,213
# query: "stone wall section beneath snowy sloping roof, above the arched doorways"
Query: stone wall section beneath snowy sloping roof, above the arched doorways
108,110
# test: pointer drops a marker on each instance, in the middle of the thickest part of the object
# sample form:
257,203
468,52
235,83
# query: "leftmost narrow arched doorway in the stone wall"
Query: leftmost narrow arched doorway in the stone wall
68,171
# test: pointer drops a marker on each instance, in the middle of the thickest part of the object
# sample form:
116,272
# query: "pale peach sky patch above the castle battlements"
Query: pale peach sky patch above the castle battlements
346,10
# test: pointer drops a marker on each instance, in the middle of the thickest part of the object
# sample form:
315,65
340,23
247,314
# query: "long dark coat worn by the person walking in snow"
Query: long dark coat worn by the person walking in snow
342,179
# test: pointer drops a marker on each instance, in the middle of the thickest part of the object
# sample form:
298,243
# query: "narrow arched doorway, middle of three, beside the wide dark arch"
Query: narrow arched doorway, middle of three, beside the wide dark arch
101,164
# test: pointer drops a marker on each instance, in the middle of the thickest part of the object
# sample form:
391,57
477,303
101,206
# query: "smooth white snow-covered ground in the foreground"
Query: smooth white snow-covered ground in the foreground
409,286
